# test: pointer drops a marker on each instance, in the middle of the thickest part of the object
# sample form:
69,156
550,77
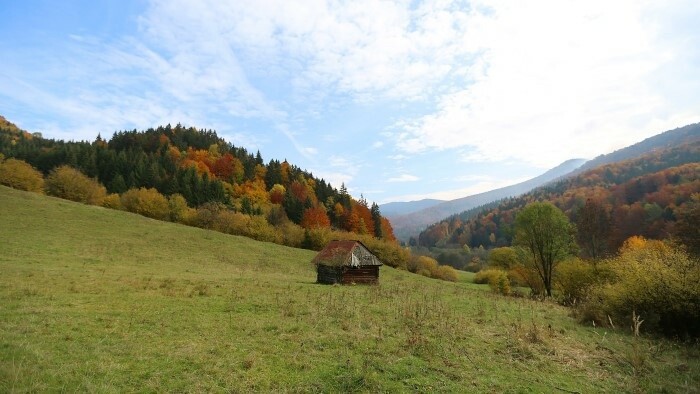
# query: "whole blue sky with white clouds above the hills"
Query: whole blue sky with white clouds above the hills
398,100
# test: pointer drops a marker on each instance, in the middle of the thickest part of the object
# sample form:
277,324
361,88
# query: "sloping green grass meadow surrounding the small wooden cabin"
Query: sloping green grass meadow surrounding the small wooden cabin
99,300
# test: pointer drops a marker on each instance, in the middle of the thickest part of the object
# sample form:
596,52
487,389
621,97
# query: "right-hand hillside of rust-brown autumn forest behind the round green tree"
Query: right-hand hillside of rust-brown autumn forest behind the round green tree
642,196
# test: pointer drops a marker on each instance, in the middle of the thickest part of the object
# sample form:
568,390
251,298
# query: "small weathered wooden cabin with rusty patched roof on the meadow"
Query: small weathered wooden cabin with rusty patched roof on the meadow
346,262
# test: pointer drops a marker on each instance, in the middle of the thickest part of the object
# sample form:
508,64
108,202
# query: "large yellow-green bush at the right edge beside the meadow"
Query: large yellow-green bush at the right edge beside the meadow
656,280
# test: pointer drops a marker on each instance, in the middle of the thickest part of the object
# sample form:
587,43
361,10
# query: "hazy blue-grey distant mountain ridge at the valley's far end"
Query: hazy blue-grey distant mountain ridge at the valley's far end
411,224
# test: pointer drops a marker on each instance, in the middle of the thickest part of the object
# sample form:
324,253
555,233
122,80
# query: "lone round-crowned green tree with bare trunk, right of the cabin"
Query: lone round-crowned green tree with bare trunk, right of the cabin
547,237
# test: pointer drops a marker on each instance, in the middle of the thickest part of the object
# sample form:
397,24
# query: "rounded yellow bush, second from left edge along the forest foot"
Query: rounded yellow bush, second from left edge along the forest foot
71,184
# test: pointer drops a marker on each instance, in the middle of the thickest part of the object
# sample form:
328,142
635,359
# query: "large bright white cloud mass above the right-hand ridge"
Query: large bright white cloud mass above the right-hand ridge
574,83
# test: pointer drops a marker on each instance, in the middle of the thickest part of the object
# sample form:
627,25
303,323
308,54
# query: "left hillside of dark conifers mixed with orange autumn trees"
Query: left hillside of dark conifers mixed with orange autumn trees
205,170
